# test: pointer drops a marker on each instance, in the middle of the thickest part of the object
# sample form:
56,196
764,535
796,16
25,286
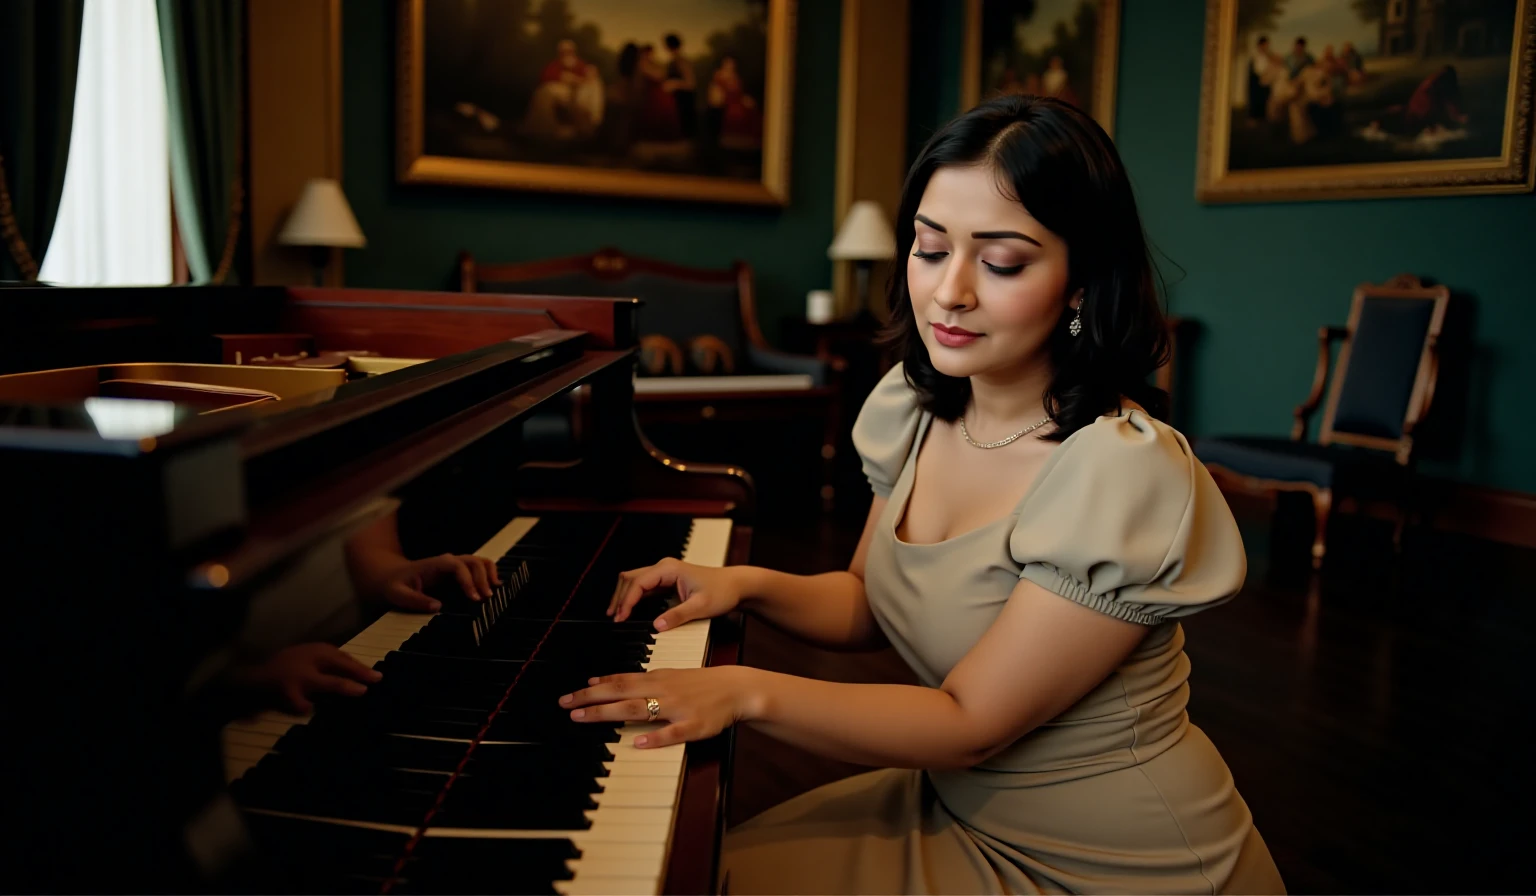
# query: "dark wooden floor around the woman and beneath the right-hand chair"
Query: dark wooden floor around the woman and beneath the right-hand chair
1377,720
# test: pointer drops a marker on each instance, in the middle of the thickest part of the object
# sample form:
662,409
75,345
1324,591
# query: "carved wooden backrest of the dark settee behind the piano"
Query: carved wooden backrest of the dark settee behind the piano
680,304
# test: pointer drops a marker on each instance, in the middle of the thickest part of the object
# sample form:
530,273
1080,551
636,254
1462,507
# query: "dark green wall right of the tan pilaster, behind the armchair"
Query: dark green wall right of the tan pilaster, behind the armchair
1262,279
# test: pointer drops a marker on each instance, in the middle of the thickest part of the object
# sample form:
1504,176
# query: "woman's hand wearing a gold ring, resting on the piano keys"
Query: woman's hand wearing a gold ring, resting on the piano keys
698,703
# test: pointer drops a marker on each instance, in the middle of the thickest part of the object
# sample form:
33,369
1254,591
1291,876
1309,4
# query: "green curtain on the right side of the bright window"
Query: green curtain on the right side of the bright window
204,42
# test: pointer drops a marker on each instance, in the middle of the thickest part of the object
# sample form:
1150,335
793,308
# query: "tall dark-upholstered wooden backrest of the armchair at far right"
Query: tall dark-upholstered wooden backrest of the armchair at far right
1386,371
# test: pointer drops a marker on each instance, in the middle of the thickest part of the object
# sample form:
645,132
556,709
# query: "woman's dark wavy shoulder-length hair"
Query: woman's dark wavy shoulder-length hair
1067,173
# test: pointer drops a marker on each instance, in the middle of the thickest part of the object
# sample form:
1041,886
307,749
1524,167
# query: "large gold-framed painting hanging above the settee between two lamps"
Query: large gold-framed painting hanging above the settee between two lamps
612,98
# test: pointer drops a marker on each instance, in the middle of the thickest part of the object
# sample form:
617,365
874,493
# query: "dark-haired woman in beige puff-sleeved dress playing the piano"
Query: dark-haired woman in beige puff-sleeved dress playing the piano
1034,539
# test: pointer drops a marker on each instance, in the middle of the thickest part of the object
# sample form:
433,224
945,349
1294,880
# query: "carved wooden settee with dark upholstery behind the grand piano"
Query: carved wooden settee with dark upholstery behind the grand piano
704,359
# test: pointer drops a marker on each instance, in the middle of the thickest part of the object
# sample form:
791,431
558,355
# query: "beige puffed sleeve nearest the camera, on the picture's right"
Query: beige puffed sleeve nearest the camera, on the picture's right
1125,520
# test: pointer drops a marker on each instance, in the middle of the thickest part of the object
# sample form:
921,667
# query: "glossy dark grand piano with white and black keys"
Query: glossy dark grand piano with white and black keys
185,470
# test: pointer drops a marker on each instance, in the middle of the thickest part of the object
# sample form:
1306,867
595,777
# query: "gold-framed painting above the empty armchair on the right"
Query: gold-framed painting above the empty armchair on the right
1366,99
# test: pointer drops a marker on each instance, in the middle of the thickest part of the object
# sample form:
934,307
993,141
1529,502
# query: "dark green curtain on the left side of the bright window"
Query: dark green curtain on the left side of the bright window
39,61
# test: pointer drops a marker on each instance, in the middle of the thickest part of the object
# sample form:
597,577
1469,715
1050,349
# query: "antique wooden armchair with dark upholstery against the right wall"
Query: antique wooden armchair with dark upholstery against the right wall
1382,390
